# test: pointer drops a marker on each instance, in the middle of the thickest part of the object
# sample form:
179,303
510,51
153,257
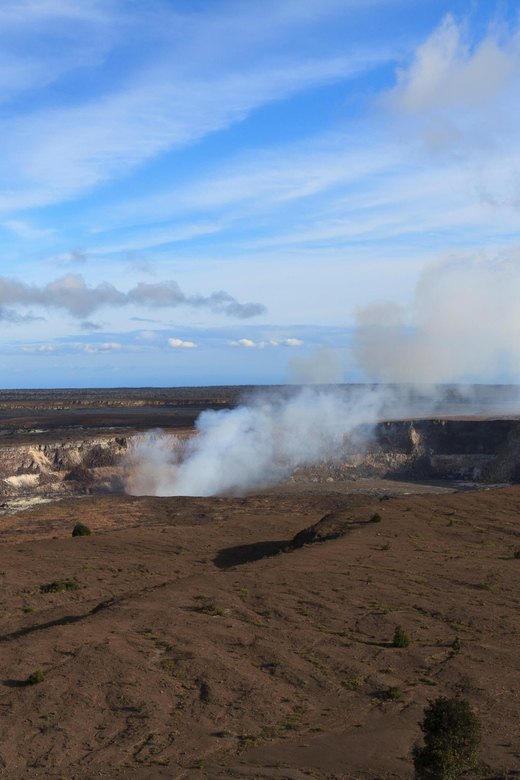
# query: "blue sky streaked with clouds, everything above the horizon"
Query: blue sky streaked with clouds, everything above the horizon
198,192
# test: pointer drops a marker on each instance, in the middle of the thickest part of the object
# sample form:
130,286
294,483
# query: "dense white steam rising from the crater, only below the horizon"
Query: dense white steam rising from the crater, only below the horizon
255,444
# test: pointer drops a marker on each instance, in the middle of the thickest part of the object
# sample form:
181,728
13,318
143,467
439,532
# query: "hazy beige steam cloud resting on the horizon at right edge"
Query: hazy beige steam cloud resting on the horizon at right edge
462,325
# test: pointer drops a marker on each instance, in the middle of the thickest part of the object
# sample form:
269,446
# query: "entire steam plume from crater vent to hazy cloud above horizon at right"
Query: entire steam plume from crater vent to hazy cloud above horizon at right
463,324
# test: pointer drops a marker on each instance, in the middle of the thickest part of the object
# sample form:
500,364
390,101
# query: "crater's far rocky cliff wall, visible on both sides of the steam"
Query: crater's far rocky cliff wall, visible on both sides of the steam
486,451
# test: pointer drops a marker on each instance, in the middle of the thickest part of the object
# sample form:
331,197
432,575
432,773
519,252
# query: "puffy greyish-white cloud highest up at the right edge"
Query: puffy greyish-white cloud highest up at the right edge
460,95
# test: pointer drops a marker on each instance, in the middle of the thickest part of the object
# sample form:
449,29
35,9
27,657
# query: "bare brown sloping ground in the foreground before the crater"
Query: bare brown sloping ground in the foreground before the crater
202,644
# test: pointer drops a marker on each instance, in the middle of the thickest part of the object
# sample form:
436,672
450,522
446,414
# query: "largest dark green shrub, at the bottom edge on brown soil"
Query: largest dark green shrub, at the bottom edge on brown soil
452,736
